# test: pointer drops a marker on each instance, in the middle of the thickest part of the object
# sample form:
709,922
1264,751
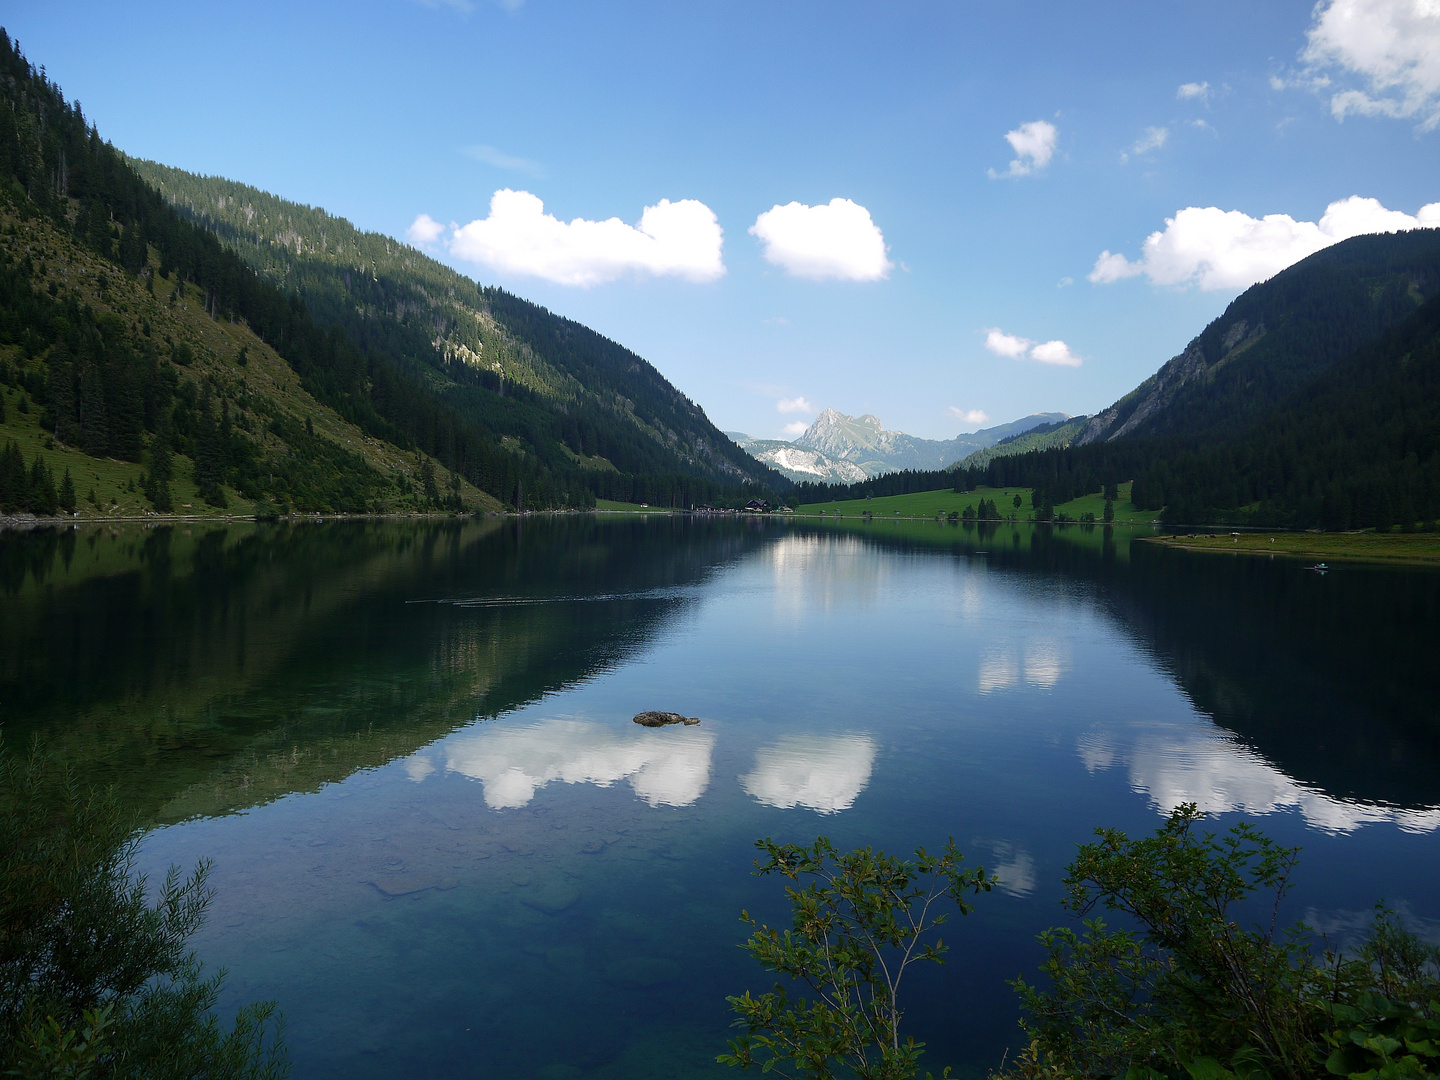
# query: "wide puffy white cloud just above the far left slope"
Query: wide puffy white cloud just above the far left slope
680,240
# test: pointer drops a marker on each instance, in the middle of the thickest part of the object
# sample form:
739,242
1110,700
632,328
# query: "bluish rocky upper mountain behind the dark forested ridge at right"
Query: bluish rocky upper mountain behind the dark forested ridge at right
1278,336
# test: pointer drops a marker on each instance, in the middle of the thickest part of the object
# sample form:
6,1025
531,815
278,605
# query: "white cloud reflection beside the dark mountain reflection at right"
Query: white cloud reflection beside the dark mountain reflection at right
1173,764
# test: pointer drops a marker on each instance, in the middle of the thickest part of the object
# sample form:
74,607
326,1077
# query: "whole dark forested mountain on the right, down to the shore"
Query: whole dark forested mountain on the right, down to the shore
1314,401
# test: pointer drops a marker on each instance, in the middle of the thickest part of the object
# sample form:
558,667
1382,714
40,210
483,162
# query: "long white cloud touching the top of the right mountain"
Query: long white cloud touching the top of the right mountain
1229,250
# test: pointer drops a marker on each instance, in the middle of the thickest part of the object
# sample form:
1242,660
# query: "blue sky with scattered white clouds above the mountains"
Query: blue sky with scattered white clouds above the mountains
947,284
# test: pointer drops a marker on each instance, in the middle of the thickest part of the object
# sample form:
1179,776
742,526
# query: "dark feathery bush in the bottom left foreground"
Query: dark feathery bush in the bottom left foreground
96,977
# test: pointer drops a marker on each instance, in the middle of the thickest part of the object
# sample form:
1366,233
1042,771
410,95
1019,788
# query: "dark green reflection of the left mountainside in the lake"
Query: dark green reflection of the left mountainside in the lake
211,669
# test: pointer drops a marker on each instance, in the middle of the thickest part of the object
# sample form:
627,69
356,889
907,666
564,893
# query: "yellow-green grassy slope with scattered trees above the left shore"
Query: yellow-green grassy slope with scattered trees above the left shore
90,385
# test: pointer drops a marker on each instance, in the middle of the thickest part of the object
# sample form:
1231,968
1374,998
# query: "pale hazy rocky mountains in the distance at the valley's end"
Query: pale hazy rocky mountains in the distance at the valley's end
840,449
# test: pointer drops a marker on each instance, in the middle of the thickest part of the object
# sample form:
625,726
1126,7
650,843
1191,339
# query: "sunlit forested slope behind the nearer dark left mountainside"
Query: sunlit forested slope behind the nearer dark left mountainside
580,405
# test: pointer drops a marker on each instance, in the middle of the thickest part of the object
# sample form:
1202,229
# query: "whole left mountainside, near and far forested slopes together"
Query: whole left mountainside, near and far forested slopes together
126,315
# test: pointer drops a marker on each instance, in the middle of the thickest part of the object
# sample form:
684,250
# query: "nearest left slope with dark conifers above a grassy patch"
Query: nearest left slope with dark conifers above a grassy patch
126,368
